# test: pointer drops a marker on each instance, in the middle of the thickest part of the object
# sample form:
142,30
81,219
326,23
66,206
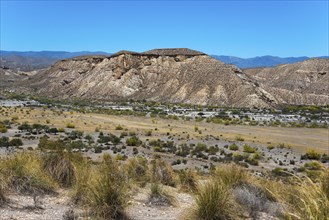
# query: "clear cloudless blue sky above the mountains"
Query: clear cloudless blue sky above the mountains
236,28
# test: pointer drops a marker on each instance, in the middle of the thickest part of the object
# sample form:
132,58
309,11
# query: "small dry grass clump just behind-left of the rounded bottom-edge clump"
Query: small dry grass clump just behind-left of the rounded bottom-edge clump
188,180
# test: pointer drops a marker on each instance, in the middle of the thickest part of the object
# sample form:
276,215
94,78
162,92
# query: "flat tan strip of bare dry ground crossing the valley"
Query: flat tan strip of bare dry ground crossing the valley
300,139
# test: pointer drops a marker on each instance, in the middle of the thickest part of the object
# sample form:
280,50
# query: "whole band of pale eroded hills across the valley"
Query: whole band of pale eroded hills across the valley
180,76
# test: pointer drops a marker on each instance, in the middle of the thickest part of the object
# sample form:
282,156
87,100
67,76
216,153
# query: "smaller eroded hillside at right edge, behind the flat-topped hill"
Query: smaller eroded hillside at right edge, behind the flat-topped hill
303,83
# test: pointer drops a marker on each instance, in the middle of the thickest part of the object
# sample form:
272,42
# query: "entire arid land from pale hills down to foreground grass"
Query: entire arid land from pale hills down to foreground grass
164,134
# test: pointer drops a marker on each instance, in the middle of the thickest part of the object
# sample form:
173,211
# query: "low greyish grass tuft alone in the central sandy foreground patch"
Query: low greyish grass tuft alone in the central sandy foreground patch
159,196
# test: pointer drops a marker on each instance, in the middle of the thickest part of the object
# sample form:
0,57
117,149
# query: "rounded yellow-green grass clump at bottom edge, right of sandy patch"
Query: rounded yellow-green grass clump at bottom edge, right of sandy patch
214,201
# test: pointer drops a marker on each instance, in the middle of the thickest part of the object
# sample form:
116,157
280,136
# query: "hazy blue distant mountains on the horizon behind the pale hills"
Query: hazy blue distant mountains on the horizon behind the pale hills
31,60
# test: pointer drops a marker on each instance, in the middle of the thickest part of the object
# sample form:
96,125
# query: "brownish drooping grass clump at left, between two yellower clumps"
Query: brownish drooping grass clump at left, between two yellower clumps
61,169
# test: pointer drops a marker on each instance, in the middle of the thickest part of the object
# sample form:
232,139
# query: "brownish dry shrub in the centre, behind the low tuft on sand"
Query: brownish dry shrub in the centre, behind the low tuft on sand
162,172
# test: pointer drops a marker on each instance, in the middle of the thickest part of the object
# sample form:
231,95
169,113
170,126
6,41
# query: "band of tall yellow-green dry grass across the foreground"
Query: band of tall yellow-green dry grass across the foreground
104,189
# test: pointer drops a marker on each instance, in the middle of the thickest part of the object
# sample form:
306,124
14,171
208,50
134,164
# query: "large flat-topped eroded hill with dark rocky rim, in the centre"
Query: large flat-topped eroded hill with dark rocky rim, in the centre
193,78
